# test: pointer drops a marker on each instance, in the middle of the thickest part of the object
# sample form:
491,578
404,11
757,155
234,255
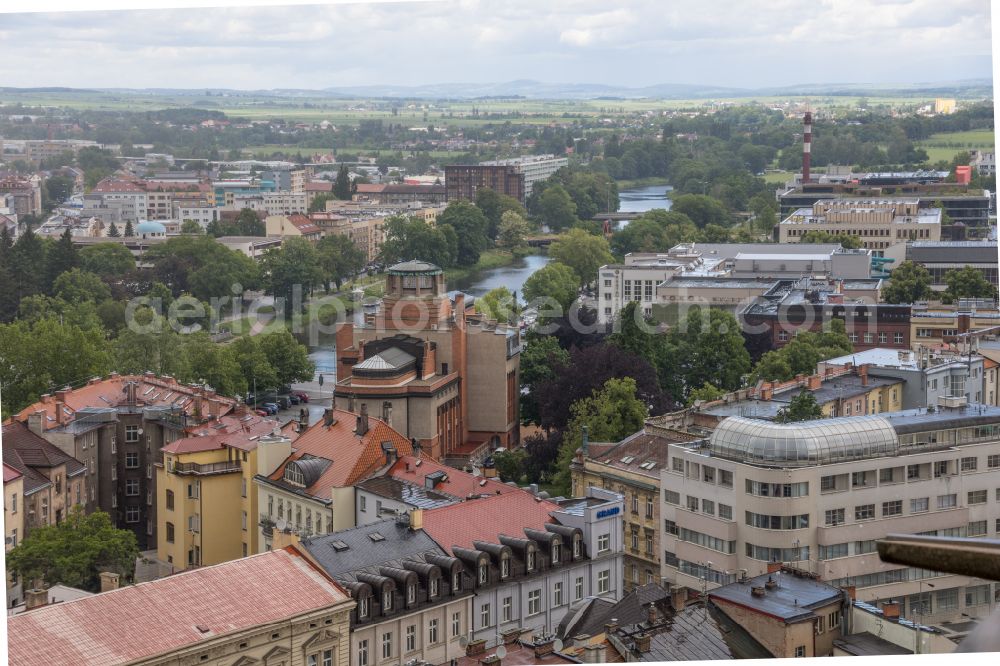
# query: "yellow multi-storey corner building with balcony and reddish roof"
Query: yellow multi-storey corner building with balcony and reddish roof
206,507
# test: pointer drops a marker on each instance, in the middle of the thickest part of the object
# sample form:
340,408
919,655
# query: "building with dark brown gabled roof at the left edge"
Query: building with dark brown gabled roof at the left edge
52,481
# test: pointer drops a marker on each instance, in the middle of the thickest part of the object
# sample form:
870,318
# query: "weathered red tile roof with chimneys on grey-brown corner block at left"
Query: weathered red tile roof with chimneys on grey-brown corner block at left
151,390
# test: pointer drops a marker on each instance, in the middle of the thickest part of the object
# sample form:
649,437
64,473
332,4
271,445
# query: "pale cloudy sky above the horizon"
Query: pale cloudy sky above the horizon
740,43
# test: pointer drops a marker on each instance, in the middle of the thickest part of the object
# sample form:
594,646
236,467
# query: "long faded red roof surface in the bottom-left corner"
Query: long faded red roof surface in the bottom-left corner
162,616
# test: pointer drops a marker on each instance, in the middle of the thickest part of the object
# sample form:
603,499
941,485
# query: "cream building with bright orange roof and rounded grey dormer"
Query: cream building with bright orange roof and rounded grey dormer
310,489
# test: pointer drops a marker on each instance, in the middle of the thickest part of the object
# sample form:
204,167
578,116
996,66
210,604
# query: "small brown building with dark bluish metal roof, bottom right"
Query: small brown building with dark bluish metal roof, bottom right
790,613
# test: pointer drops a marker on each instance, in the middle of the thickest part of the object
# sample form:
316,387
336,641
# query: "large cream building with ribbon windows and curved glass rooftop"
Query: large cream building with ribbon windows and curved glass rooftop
816,495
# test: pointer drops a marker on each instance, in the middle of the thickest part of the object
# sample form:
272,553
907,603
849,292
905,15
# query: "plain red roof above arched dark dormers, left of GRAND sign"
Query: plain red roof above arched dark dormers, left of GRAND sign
487,518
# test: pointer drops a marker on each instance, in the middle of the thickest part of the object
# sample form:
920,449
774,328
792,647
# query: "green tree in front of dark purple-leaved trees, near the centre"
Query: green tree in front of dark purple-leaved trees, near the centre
610,415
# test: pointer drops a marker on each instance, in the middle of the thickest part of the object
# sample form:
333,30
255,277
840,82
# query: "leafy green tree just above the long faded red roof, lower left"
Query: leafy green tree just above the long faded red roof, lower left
76,551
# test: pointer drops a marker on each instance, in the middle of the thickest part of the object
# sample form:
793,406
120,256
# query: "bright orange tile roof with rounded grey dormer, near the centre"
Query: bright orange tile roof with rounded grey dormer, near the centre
353,458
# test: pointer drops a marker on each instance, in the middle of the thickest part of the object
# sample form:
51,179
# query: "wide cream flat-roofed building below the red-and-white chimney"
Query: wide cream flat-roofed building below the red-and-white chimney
877,223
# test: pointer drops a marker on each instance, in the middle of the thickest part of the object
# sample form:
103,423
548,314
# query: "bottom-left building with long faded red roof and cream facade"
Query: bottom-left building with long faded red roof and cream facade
269,609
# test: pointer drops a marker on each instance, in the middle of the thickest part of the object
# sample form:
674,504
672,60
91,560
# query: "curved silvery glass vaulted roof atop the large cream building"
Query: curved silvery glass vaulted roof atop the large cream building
823,441
